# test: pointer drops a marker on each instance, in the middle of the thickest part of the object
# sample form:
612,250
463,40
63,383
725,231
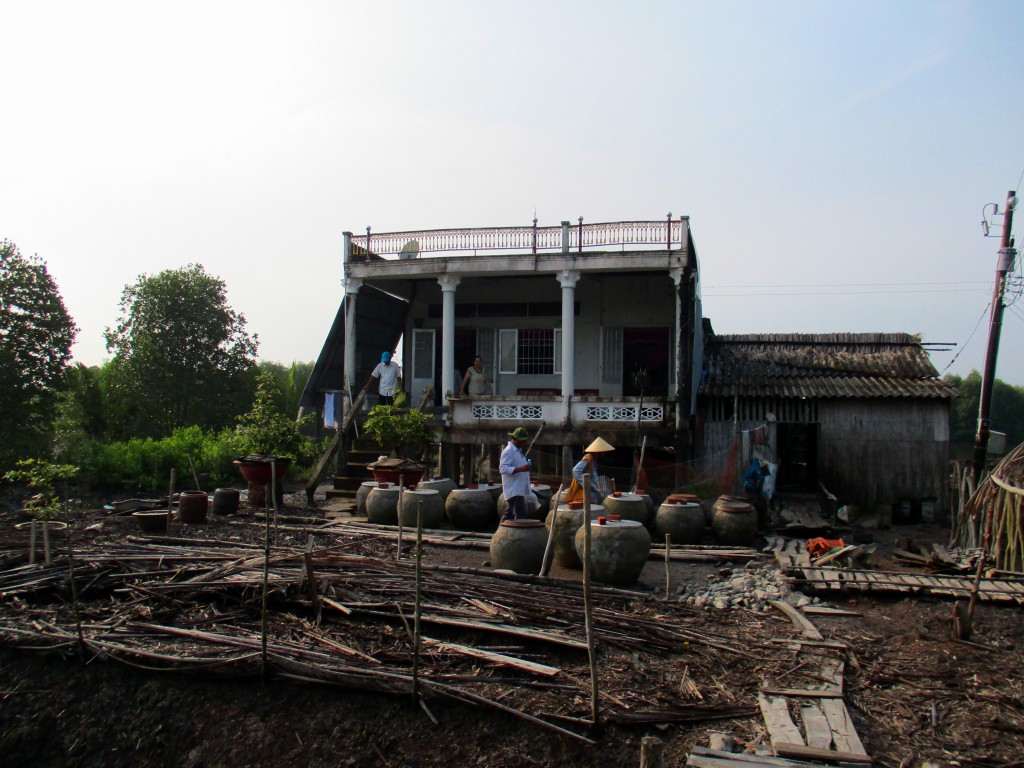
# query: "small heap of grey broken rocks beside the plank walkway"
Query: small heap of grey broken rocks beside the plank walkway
753,587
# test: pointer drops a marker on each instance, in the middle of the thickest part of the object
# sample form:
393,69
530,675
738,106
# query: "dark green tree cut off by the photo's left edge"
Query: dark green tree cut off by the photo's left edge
36,334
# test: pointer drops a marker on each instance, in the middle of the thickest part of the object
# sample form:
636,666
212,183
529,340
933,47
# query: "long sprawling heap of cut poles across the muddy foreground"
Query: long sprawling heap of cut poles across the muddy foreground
345,615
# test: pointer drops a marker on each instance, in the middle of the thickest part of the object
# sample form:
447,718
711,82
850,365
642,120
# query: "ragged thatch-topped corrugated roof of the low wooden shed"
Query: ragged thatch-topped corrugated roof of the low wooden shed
821,366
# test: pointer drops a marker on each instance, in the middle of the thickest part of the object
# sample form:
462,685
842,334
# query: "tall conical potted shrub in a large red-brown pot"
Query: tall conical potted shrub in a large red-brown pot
267,439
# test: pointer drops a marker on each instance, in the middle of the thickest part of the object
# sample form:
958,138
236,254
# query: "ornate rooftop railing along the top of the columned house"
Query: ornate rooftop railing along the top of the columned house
666,234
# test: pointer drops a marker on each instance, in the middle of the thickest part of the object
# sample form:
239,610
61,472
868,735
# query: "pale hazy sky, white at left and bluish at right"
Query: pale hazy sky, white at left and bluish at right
835,157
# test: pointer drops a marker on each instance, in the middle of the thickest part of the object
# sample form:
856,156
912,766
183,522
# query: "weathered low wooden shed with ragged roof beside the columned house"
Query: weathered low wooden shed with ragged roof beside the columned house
866,416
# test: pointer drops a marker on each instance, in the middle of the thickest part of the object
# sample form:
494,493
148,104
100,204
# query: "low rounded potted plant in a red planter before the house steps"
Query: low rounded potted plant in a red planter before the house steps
404,435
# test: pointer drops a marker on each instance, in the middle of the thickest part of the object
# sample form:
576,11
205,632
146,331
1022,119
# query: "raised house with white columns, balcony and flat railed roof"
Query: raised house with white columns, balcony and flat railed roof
585,330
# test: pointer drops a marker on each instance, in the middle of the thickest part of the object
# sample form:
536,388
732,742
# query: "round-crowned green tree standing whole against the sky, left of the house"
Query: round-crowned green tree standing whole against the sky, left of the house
182,356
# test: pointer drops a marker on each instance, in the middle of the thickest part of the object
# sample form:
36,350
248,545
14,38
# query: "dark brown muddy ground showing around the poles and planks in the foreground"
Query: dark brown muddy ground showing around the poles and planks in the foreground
915,694
